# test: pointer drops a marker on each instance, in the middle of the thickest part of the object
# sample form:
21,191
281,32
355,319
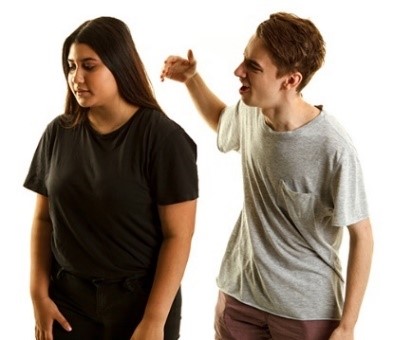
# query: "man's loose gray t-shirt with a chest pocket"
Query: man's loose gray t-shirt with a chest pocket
300,188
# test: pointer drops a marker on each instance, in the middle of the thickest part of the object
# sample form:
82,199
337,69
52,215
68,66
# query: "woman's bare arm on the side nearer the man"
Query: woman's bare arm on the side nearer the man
178,222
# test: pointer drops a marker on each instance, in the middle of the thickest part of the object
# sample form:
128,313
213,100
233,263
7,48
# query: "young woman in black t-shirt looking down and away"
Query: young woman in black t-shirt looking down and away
116,183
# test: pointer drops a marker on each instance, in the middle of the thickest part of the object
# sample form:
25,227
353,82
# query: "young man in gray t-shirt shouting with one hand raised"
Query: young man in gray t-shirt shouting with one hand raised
280,277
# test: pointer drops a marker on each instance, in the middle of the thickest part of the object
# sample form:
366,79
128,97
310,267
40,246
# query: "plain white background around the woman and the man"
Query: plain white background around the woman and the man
354,84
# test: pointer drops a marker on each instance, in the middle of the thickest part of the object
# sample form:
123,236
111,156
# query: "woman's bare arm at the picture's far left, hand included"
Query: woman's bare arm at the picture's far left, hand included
45,311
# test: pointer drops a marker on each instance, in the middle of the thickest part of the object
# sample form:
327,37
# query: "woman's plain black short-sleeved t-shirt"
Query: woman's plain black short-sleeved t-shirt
104,191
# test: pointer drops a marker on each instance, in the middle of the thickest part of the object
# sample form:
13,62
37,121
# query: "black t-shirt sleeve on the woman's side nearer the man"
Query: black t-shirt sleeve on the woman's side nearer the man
174,170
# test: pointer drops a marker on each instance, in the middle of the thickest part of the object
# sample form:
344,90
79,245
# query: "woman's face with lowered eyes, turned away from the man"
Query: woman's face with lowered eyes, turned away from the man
91,82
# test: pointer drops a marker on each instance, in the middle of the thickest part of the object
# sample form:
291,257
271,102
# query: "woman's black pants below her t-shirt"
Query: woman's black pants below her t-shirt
105,309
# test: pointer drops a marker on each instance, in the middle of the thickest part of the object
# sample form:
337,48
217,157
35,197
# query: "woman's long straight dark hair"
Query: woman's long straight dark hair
111,39
